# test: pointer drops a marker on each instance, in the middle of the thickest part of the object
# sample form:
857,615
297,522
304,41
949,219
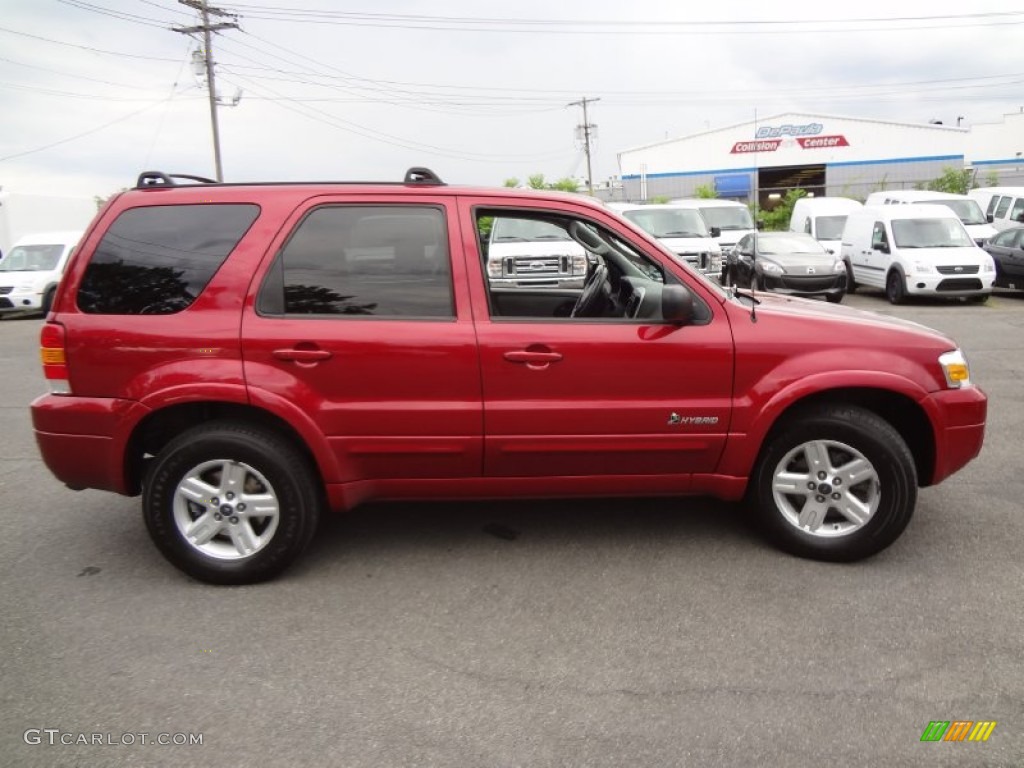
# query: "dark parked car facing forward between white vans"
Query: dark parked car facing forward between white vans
792,264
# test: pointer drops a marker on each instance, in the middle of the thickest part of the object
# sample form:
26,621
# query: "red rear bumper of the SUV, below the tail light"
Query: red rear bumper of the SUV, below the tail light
83,440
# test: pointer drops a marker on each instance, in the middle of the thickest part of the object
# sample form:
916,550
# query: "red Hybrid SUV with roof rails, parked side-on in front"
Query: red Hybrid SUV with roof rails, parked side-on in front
247,356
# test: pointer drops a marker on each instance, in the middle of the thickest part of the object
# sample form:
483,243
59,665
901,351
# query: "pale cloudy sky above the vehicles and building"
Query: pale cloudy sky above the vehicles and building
93,93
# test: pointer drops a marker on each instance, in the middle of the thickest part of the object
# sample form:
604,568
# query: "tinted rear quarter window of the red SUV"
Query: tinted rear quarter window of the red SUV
158,260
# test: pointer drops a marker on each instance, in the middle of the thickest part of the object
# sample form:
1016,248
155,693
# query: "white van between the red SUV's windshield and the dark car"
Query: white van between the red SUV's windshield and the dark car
682,231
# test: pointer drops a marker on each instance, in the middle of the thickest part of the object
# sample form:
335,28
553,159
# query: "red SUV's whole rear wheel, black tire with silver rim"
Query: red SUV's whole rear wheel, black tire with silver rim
271,471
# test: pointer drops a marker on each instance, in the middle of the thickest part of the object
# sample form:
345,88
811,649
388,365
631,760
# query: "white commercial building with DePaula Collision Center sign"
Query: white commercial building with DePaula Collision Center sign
824,154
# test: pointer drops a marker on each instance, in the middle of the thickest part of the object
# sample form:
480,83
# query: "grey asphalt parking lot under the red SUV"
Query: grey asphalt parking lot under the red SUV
606,633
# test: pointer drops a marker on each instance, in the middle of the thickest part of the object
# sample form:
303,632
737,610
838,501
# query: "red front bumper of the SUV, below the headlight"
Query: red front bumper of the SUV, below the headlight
959,416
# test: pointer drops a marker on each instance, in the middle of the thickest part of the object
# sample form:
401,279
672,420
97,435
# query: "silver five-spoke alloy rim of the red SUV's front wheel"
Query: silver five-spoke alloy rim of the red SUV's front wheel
826,489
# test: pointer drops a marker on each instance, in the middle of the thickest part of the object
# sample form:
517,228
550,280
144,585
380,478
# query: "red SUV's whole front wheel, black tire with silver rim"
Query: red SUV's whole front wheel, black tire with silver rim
846,434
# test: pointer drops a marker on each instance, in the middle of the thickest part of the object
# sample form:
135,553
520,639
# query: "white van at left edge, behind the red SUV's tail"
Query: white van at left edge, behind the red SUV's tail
31,271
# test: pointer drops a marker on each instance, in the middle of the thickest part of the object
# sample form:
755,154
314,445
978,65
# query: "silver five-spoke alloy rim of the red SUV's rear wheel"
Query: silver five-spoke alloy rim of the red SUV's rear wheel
226,509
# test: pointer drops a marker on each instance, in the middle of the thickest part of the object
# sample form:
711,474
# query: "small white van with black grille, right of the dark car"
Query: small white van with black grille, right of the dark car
915,250
